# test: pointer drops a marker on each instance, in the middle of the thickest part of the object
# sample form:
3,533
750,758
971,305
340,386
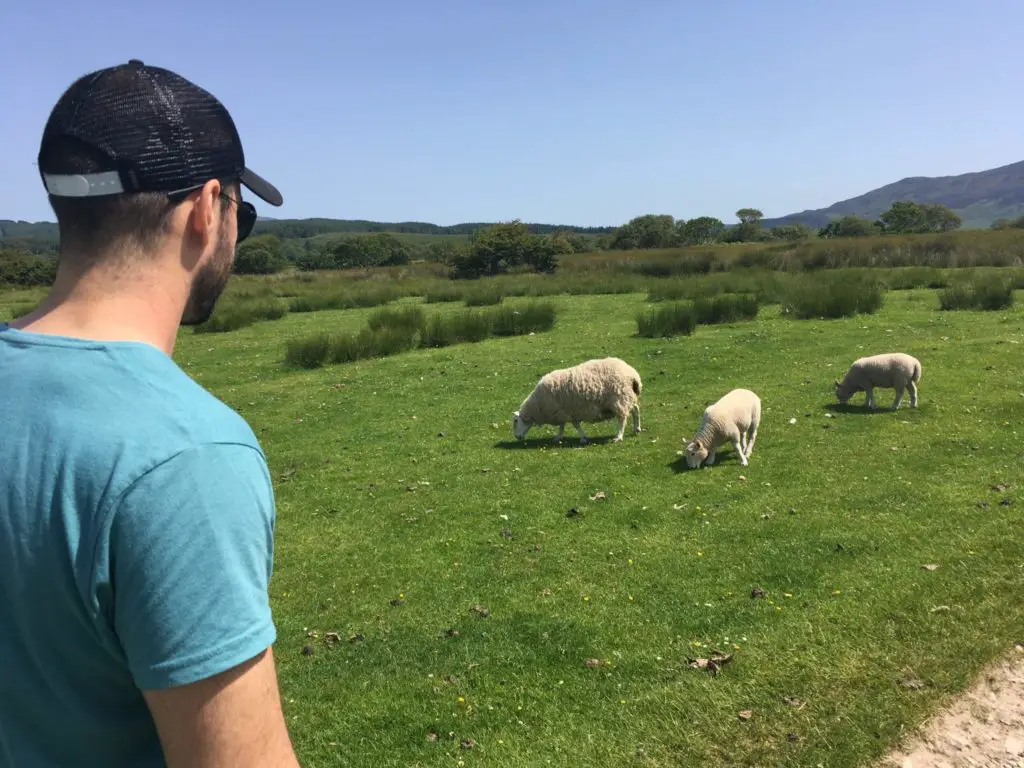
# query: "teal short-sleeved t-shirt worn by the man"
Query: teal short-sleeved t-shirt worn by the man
137,546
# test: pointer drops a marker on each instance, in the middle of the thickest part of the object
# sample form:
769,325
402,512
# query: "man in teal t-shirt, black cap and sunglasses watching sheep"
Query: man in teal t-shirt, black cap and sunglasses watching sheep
137,510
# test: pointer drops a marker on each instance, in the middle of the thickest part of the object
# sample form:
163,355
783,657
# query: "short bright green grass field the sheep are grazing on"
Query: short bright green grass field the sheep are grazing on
503,604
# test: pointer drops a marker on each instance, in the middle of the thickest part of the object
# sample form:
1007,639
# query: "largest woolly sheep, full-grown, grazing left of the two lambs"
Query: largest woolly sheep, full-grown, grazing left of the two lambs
593,392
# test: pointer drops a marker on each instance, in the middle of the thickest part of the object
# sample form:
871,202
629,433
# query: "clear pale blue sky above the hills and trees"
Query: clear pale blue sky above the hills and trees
552,111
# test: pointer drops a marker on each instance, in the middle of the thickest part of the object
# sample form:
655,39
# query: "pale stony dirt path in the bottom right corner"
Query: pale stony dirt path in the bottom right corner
984,730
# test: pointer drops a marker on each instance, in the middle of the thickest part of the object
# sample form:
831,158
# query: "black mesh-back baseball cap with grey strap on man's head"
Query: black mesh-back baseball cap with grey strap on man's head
137,129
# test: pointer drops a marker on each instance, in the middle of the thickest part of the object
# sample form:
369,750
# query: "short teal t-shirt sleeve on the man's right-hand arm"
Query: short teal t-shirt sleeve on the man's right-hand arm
192,553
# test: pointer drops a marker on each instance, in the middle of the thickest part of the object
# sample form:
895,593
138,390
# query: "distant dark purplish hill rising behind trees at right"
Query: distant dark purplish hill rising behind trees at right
979,198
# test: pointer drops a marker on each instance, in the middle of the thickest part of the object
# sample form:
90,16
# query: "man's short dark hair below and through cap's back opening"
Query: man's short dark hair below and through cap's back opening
92,228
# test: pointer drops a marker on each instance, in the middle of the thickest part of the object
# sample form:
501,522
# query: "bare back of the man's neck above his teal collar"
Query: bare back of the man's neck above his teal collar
139,309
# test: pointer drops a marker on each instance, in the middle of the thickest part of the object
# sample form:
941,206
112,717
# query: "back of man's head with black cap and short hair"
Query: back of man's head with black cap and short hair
124,146
